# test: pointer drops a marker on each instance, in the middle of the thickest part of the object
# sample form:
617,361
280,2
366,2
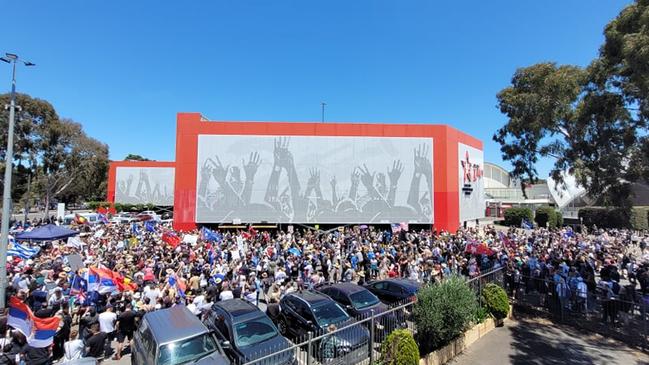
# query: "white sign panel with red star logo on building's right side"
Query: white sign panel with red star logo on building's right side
471,167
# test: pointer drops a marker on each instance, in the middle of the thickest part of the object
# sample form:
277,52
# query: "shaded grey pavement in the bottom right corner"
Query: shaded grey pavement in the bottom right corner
539,341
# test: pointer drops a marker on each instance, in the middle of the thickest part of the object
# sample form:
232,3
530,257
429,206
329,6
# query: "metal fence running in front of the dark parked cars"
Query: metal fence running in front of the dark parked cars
354,342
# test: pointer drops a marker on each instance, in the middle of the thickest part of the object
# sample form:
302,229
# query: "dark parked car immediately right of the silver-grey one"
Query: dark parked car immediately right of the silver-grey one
246,333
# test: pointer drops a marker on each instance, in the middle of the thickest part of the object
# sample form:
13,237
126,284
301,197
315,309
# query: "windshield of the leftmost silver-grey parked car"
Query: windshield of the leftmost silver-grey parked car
188,350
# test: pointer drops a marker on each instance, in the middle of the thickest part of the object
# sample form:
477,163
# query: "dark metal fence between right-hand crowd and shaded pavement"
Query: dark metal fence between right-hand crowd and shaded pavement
622,315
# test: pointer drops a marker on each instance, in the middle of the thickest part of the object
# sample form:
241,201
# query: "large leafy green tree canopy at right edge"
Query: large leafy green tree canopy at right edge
592,121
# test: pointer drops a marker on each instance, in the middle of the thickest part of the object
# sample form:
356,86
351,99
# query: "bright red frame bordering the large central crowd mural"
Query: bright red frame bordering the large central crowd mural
445,156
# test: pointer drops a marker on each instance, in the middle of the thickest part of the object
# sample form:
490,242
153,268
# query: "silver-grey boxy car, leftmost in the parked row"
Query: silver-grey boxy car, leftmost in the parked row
175,336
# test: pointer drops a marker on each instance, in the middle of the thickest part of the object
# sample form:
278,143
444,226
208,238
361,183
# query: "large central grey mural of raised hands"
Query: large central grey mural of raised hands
312,179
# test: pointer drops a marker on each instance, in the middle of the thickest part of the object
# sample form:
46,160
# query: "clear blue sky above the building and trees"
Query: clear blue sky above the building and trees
125,68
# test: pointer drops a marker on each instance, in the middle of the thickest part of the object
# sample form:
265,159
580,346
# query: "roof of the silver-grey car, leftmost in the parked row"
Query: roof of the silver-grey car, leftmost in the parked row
172,324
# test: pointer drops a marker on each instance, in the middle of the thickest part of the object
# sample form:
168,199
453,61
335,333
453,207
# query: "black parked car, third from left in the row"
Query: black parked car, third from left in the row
310,311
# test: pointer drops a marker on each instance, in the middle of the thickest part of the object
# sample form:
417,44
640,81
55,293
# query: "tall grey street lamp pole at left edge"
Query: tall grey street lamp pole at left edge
6,193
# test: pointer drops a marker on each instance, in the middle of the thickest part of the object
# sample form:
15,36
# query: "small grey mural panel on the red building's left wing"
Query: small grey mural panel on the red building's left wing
145,185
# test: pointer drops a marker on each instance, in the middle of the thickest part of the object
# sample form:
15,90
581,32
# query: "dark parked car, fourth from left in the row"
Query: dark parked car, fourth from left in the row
360,303
